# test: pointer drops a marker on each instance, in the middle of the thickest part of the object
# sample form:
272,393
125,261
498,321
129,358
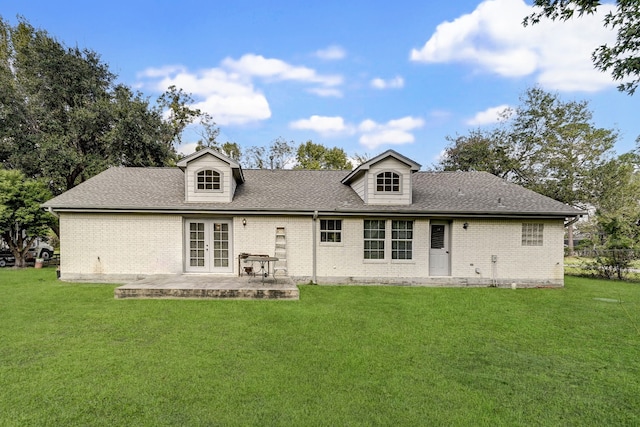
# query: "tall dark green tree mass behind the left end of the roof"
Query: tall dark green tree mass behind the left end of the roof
64,119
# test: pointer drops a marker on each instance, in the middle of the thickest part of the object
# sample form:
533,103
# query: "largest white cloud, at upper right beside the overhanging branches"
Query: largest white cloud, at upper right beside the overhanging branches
493,39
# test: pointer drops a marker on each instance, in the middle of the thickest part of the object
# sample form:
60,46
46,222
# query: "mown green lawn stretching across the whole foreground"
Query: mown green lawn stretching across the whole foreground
70,354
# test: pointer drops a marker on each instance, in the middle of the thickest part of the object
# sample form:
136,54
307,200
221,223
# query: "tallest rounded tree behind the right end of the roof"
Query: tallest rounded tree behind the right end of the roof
555,147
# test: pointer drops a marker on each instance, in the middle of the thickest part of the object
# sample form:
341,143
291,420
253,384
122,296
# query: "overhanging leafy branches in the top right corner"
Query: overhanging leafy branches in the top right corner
622,59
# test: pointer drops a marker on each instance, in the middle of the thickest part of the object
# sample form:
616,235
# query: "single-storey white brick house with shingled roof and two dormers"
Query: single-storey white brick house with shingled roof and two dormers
383,222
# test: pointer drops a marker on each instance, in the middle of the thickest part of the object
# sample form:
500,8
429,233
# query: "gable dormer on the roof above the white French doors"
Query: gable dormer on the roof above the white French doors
210,177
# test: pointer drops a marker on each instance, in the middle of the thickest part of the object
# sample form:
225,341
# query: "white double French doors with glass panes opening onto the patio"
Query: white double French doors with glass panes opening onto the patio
208,246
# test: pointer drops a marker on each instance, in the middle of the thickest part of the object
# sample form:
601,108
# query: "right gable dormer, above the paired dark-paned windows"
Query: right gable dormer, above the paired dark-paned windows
384,180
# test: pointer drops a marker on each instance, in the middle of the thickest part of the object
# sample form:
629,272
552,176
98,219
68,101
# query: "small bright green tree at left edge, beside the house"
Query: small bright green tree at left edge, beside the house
22,220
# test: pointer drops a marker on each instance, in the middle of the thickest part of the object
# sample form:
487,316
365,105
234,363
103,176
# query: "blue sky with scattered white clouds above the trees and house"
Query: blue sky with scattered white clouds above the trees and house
365,76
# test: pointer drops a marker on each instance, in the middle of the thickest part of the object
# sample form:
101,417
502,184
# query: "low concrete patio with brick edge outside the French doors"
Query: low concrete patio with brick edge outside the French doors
207,286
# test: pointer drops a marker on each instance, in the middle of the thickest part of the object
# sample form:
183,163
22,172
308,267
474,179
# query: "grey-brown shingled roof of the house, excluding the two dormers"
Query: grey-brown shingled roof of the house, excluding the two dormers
307,191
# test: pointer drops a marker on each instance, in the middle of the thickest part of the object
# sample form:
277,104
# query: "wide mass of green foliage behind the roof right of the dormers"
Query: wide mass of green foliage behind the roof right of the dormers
545,144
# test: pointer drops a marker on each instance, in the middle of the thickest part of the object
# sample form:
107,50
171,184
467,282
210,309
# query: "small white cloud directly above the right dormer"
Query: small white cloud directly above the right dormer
394,132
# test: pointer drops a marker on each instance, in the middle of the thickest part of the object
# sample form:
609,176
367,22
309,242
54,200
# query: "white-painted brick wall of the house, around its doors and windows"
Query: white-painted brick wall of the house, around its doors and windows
114,246
